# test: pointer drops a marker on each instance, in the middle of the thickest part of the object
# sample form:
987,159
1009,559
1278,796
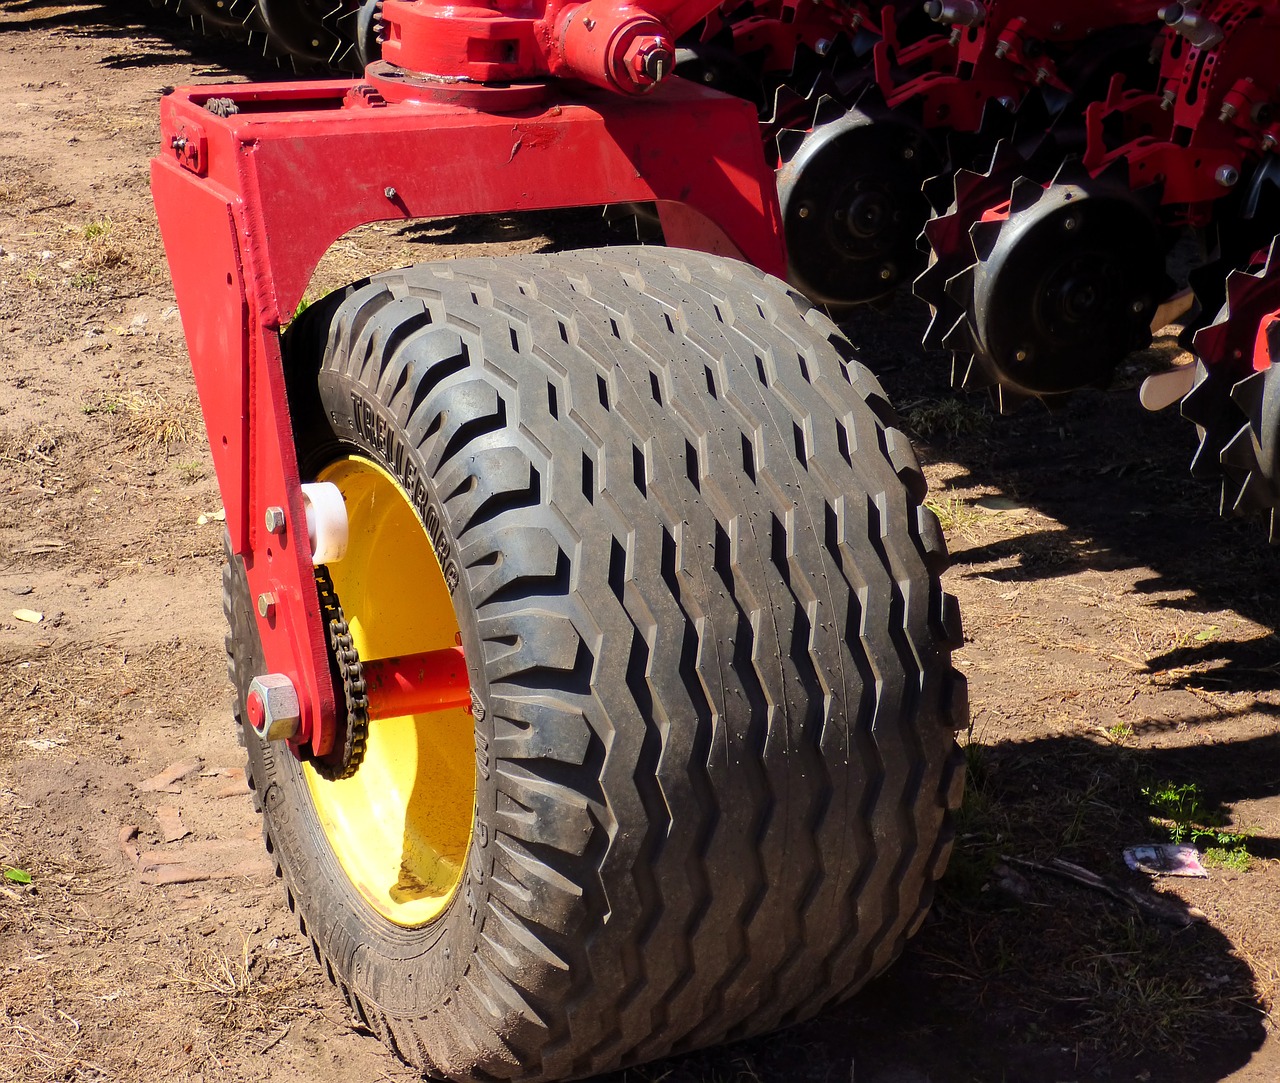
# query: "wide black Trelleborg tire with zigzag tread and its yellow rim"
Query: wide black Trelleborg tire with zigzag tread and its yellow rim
708,779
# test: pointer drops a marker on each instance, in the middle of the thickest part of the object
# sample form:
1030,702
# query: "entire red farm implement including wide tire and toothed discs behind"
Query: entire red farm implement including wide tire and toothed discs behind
586,619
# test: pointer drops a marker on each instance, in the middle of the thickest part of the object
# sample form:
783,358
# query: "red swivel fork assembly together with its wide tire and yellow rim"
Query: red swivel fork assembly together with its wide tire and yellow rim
586,618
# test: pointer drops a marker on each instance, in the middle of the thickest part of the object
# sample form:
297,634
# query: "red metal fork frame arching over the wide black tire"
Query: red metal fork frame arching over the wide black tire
250,203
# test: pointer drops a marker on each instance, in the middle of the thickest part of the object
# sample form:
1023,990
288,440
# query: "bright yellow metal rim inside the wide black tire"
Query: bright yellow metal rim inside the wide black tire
401,826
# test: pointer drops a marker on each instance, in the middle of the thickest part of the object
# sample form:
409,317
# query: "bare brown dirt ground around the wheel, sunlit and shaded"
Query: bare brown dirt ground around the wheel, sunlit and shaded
1122,655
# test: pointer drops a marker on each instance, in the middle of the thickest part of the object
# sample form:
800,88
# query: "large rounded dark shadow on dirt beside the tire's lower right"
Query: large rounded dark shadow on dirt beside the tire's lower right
1025,977
